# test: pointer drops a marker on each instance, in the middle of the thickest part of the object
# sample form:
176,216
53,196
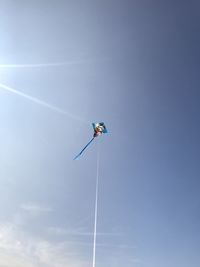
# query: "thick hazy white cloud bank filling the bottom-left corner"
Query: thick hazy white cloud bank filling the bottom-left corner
18,249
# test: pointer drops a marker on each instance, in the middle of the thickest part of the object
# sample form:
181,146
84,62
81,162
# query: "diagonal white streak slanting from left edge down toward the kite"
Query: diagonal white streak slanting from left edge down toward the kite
41,102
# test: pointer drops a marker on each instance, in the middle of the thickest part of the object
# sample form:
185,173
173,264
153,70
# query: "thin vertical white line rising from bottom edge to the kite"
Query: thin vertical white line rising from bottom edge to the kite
96,208
